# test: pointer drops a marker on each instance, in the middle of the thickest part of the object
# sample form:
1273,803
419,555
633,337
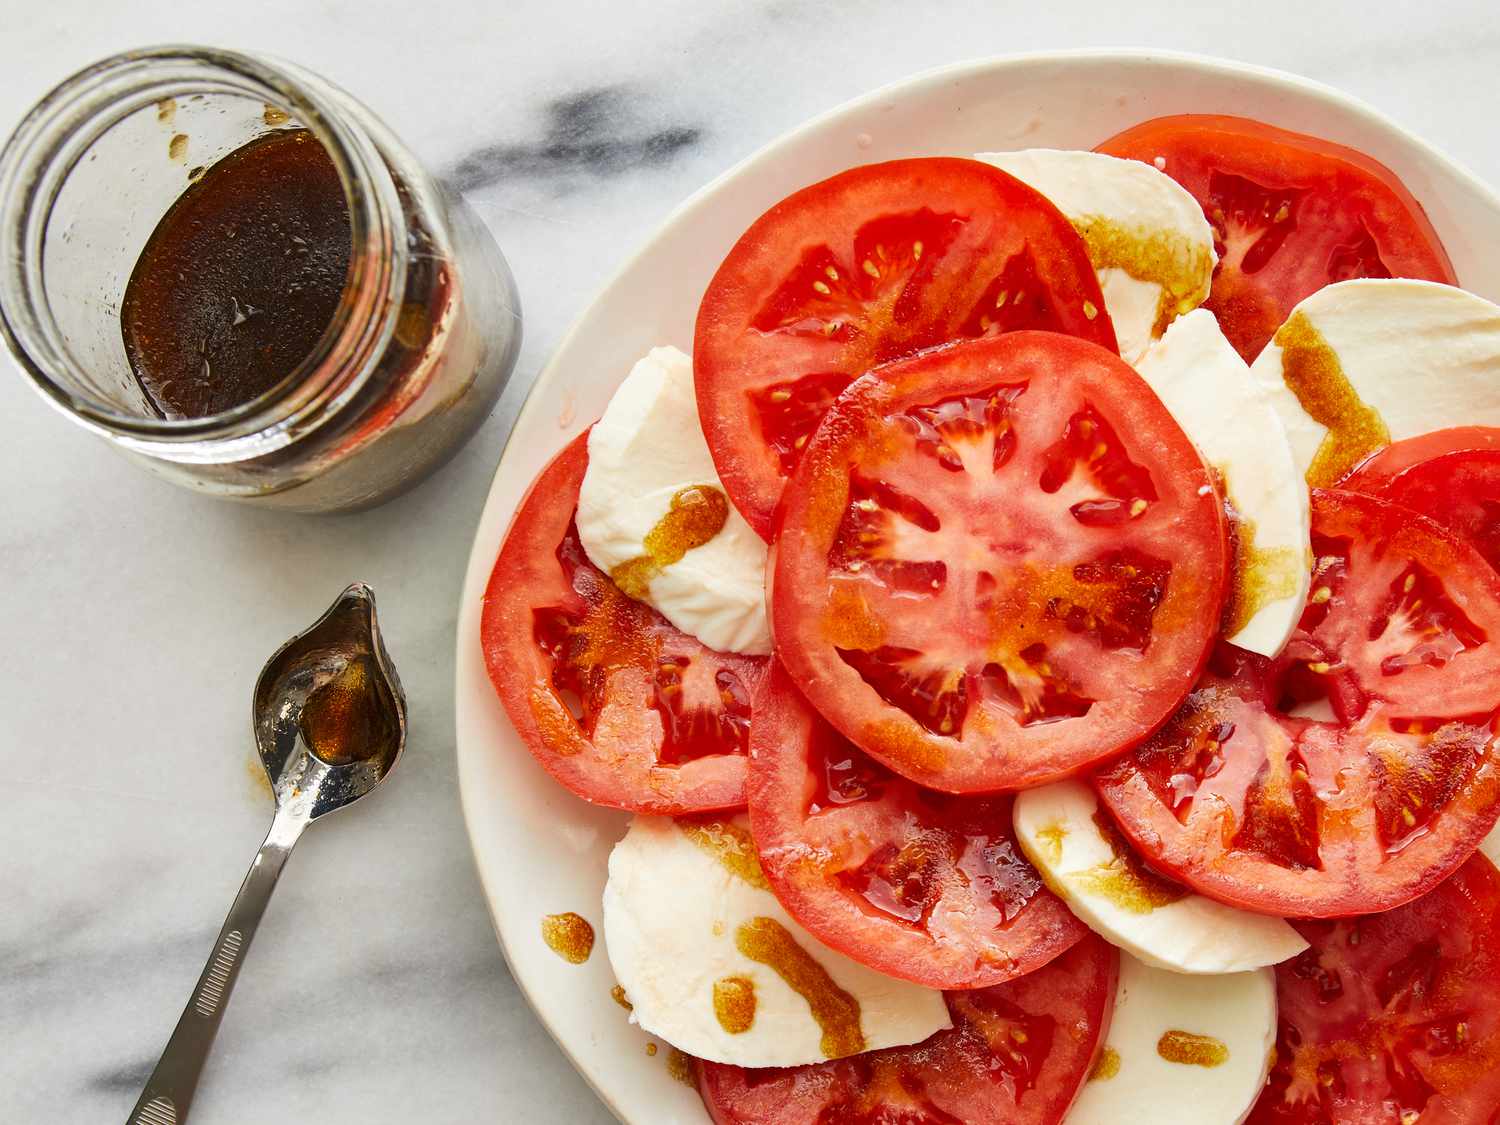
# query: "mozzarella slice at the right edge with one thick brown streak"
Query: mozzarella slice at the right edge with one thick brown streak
1373,361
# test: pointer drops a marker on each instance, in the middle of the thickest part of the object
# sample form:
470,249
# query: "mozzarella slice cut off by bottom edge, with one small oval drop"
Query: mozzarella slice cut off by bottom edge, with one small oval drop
1181,1049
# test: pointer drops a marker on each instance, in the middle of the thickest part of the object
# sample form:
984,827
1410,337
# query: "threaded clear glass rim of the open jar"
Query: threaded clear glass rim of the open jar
43,152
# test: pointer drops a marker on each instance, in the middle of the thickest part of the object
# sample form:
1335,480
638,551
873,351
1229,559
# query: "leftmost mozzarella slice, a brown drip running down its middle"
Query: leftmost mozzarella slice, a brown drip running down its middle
653,515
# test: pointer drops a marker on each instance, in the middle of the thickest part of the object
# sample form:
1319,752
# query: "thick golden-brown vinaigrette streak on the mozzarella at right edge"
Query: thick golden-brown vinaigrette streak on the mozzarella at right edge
1312,371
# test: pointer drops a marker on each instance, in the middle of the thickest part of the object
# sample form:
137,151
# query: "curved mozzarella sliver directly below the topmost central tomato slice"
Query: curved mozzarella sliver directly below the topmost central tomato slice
1082,857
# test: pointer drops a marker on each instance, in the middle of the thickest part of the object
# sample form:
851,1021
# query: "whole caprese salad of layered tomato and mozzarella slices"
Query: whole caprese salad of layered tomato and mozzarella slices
1048,631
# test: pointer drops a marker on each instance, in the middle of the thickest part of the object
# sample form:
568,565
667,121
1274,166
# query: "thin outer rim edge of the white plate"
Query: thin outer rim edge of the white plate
482,548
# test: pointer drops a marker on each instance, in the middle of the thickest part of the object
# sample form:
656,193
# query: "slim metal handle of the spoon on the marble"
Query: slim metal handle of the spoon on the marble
170,1090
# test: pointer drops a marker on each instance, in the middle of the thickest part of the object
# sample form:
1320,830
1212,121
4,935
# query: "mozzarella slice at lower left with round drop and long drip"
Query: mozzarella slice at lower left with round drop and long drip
713,964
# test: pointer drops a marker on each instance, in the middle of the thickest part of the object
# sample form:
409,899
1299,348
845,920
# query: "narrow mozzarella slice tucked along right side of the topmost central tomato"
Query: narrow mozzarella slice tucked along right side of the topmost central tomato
1234,422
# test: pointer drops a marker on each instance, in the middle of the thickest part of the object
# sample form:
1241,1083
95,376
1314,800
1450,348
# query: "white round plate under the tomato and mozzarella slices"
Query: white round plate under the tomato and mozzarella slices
542,851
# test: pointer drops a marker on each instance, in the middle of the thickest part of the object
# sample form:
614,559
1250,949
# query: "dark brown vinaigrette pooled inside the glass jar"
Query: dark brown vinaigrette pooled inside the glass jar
241,278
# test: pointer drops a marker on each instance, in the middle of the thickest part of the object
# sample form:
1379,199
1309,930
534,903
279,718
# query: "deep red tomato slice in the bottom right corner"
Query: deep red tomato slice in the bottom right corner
1393,1018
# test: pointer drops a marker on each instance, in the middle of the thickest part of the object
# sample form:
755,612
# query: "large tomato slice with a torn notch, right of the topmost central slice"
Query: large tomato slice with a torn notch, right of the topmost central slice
1249,803
